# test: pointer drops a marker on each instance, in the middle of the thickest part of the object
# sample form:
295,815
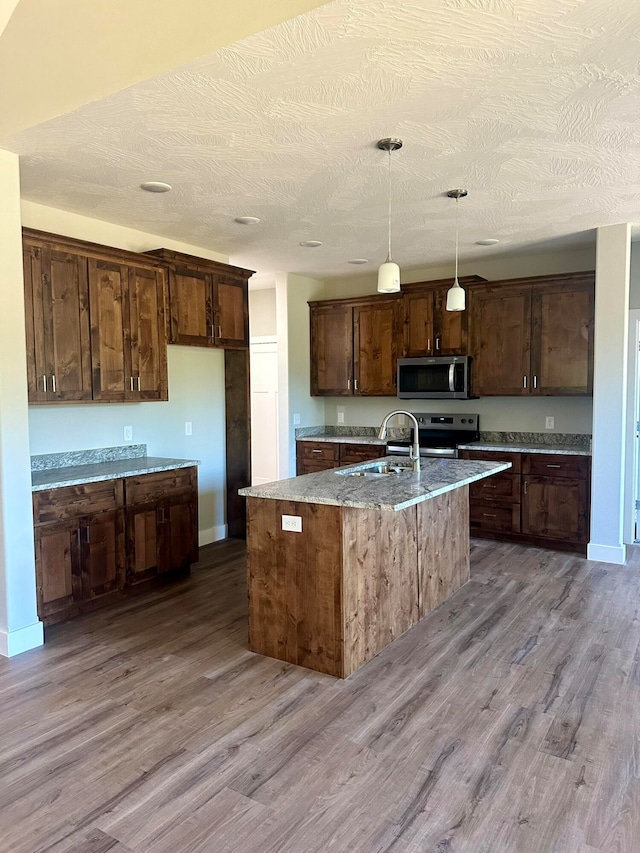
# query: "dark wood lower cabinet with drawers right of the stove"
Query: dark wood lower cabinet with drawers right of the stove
544,499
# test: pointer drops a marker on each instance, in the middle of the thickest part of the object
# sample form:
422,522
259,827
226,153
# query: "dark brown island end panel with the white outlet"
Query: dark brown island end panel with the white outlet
295,605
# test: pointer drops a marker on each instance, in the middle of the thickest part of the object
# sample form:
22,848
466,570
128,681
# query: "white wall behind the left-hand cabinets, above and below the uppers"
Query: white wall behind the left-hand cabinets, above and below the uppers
196,389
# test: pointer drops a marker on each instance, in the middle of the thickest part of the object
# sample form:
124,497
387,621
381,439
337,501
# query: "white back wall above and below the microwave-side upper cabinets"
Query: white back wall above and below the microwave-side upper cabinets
573,415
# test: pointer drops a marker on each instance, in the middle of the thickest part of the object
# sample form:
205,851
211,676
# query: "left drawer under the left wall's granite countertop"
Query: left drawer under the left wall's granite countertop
75,501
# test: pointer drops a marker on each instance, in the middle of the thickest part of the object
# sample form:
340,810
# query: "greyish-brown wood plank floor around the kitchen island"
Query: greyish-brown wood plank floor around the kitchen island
508,720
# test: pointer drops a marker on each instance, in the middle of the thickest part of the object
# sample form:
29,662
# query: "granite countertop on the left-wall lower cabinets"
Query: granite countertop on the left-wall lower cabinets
73,475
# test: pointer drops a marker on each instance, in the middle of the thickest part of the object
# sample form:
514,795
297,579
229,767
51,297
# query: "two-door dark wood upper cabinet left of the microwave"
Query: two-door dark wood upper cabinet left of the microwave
354,347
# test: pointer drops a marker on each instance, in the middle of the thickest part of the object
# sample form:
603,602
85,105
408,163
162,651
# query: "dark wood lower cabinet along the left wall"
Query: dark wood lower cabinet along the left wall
141,528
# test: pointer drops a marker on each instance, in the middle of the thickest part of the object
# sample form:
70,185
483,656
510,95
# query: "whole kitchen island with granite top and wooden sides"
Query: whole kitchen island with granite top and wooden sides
342,562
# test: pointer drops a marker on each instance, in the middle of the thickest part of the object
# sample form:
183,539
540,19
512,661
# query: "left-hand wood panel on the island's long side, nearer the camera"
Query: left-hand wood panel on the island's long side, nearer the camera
380,584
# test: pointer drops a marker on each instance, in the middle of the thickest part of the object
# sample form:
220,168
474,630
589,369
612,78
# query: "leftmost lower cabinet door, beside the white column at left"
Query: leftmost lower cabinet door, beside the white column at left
58,580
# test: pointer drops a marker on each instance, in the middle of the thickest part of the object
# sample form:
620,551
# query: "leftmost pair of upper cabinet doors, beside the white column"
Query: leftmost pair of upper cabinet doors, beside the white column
57,318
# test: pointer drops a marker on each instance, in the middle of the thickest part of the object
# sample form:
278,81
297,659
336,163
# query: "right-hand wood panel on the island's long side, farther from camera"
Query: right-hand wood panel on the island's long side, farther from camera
443,546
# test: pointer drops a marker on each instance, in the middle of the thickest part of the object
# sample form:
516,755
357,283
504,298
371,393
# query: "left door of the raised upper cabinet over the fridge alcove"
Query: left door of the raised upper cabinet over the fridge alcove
191,307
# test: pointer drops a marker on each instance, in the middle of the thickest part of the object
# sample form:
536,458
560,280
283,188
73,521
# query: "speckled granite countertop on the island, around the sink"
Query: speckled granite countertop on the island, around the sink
395,492
